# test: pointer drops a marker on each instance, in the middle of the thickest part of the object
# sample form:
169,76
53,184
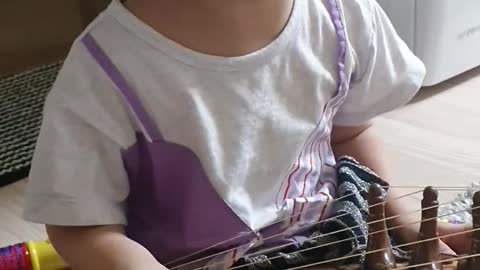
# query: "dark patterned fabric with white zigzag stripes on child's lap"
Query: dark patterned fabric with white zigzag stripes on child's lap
347,229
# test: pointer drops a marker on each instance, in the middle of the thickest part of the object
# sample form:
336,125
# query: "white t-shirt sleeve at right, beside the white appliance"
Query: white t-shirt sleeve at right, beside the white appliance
387,73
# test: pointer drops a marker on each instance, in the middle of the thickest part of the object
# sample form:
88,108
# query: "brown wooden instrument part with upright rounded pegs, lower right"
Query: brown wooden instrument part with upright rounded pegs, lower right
426,252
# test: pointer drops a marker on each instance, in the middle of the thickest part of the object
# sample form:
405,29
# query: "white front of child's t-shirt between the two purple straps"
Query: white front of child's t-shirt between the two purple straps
256,122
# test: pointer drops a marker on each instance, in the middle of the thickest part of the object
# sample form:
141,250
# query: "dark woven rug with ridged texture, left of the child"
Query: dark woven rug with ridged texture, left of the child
22,97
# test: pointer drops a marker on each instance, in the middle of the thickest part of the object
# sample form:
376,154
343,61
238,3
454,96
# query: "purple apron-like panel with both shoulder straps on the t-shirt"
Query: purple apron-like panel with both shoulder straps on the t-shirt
174,224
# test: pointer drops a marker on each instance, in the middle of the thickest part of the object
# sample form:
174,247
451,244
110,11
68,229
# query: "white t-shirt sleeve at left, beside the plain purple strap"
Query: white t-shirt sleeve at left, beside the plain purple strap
77,176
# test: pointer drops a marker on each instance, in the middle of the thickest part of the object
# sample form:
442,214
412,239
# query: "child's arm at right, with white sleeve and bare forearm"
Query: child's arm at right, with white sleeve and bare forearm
387,75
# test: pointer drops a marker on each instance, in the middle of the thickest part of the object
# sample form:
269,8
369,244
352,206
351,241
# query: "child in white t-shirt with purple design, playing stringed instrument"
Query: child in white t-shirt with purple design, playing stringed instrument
177,125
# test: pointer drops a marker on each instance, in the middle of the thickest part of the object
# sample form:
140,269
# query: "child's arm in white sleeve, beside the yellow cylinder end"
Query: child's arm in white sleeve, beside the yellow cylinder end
78,180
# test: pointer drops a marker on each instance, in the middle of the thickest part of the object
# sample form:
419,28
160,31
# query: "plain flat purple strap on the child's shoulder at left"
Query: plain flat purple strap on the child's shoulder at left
144,120
